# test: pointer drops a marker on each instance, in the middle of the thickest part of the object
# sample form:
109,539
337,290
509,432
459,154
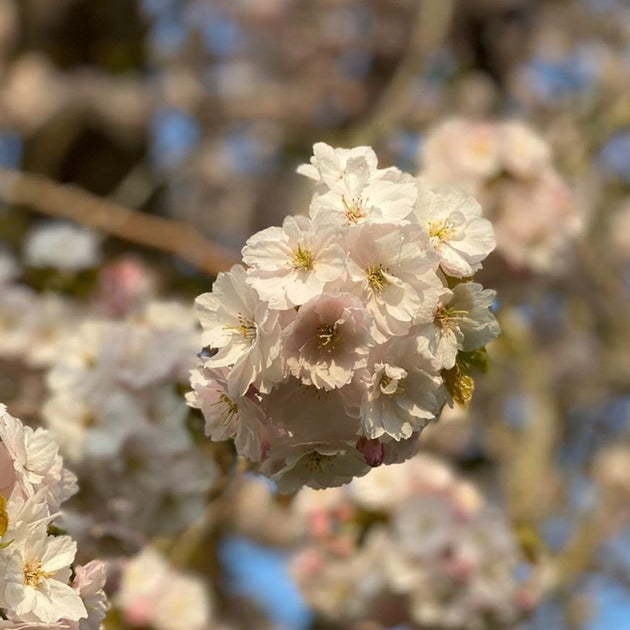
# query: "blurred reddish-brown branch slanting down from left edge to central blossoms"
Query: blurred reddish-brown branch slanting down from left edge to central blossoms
70,202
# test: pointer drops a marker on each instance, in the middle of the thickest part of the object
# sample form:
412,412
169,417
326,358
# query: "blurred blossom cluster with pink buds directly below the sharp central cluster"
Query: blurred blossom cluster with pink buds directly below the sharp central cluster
411,545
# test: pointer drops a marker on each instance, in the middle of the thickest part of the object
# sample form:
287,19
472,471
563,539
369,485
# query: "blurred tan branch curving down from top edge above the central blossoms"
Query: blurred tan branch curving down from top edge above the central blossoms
433,20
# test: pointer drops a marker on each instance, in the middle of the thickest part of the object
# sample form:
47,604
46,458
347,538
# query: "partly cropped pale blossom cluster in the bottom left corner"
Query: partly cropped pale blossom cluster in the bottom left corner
35,565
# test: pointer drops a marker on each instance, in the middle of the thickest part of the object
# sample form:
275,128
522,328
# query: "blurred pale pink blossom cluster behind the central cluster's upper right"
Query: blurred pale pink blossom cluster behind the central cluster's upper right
508,167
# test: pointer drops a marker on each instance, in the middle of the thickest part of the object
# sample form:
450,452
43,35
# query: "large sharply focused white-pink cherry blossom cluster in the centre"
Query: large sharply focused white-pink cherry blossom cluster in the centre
350,328
